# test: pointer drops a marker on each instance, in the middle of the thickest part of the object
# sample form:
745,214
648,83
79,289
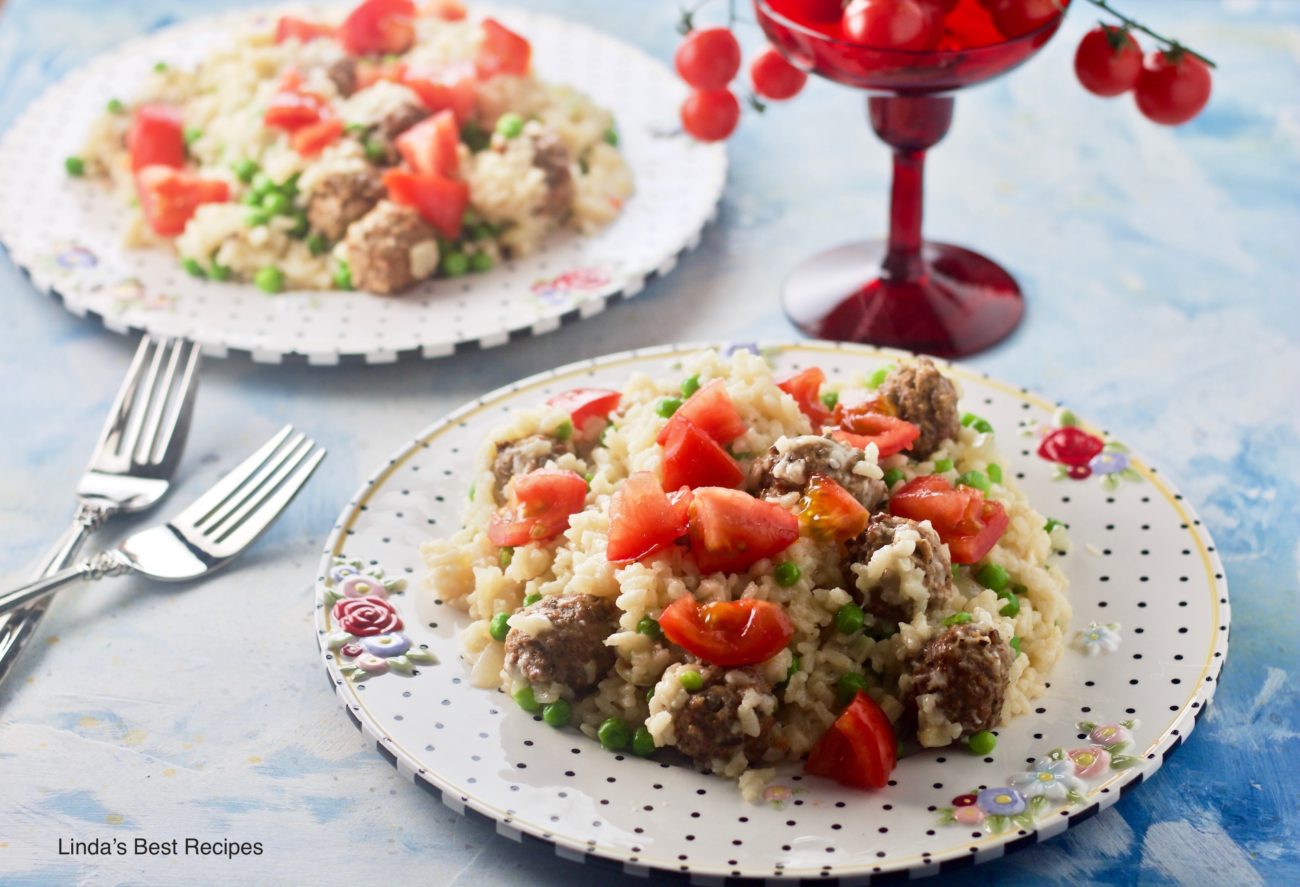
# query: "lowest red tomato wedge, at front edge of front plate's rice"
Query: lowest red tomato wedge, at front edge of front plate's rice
859,750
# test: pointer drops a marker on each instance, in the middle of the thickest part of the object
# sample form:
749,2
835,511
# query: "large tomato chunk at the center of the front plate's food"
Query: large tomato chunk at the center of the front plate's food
731,531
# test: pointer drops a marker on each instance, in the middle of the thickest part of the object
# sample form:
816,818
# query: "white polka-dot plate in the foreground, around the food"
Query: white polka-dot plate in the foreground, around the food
1149,639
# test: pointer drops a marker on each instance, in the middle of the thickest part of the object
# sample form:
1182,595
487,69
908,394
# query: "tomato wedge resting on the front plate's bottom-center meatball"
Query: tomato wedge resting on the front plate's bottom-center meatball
729,633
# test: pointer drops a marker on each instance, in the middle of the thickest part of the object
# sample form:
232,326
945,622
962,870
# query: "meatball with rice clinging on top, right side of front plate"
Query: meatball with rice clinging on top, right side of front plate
921,581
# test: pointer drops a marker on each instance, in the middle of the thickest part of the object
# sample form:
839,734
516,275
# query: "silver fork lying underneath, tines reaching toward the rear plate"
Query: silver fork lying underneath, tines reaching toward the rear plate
135,460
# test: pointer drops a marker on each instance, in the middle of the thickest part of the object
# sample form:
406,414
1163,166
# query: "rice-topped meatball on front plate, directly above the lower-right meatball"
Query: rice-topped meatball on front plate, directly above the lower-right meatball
885,598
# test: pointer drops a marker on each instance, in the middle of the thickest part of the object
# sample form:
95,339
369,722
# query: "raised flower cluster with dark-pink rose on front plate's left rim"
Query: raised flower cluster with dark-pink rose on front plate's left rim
370,641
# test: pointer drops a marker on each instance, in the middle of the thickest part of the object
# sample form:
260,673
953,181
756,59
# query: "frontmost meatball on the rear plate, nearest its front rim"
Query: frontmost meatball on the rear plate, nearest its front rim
391,249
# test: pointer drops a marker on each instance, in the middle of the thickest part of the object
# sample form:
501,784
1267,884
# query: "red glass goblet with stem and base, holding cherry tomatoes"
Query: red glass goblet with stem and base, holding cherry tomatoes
904,292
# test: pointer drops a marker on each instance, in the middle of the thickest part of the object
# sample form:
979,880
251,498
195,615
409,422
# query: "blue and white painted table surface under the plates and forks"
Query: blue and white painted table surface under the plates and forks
1162,270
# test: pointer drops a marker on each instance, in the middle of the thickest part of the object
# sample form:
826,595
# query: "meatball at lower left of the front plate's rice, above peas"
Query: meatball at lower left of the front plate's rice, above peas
573,651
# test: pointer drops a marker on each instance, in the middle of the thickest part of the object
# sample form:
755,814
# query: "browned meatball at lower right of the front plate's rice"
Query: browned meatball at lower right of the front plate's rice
960,682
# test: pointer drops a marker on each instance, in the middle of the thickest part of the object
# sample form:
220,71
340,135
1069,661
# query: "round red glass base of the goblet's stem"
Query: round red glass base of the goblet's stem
959,305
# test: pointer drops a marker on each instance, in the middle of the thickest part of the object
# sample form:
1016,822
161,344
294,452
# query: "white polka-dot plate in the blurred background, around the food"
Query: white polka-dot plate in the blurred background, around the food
67,233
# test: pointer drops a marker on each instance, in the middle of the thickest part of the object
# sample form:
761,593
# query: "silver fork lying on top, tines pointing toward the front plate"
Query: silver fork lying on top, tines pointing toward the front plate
210,533
